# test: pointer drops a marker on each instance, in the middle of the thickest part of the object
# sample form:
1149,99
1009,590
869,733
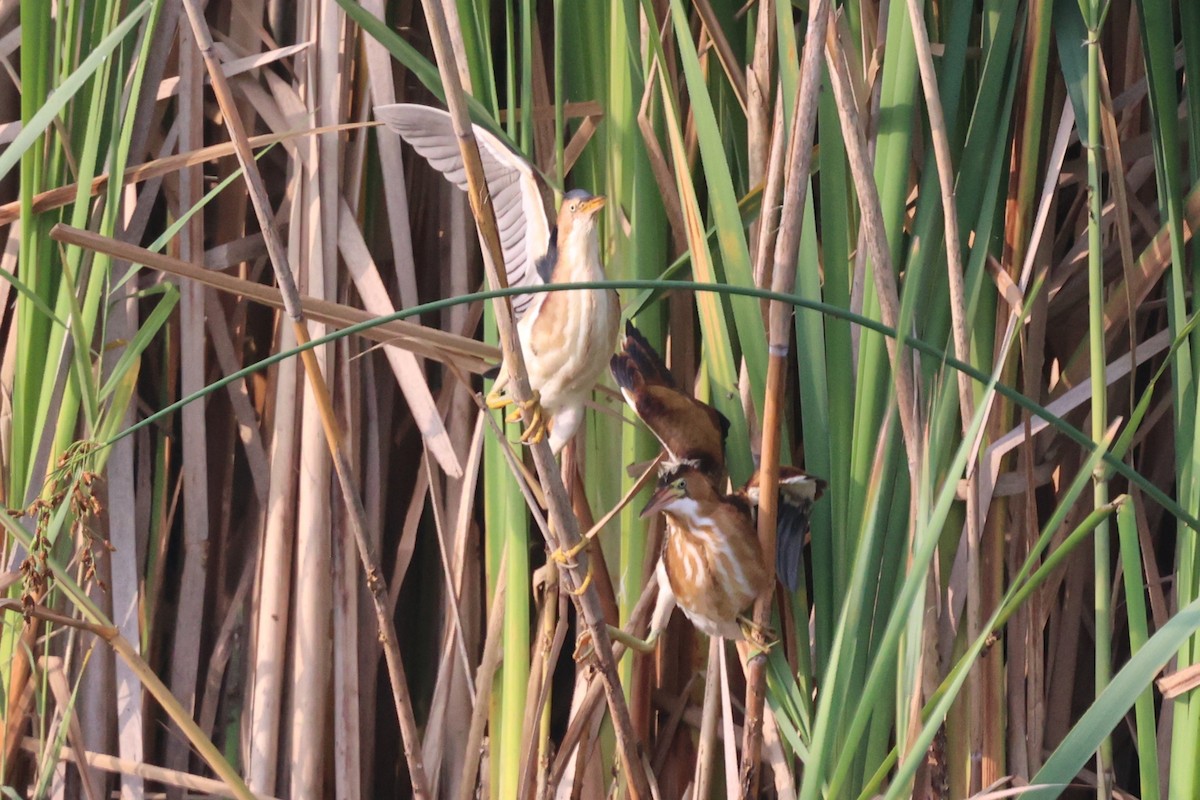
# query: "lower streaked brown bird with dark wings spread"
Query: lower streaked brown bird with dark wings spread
712,566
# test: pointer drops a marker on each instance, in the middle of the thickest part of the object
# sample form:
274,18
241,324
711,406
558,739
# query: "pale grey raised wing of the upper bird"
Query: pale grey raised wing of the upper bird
514,187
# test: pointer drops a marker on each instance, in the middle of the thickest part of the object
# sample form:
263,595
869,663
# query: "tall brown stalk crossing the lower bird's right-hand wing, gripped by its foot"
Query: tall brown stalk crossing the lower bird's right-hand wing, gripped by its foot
800,160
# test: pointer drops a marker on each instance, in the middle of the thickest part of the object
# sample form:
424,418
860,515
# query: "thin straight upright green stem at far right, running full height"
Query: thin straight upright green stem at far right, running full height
1101,543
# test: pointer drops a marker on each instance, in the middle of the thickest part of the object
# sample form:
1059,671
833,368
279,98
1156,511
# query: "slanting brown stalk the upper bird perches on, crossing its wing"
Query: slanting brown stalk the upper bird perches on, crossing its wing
563,525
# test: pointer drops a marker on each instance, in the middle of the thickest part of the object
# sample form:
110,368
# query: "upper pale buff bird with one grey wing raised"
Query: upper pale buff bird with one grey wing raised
567,338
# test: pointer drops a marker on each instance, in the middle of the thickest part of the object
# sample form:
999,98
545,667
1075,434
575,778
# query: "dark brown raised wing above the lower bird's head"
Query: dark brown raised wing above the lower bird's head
691,431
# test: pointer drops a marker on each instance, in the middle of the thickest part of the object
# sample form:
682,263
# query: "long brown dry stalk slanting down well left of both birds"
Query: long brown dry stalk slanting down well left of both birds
368,555
